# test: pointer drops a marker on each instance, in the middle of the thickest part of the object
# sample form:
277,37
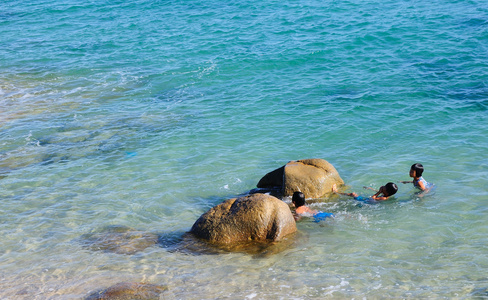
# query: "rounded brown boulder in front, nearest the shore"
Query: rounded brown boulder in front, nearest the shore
256,217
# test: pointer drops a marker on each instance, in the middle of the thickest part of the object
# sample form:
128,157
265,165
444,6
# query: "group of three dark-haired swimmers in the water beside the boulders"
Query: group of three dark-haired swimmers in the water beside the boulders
384,192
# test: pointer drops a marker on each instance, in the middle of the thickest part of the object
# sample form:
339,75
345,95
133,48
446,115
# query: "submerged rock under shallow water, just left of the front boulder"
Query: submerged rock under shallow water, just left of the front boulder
120,239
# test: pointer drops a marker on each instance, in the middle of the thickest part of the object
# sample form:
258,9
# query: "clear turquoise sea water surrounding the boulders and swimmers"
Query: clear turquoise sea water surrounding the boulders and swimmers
147,113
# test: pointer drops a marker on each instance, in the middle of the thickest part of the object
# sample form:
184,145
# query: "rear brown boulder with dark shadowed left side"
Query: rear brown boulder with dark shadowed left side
313,177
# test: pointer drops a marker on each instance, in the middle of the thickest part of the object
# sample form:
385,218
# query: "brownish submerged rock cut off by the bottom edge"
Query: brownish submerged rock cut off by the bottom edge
129,291
